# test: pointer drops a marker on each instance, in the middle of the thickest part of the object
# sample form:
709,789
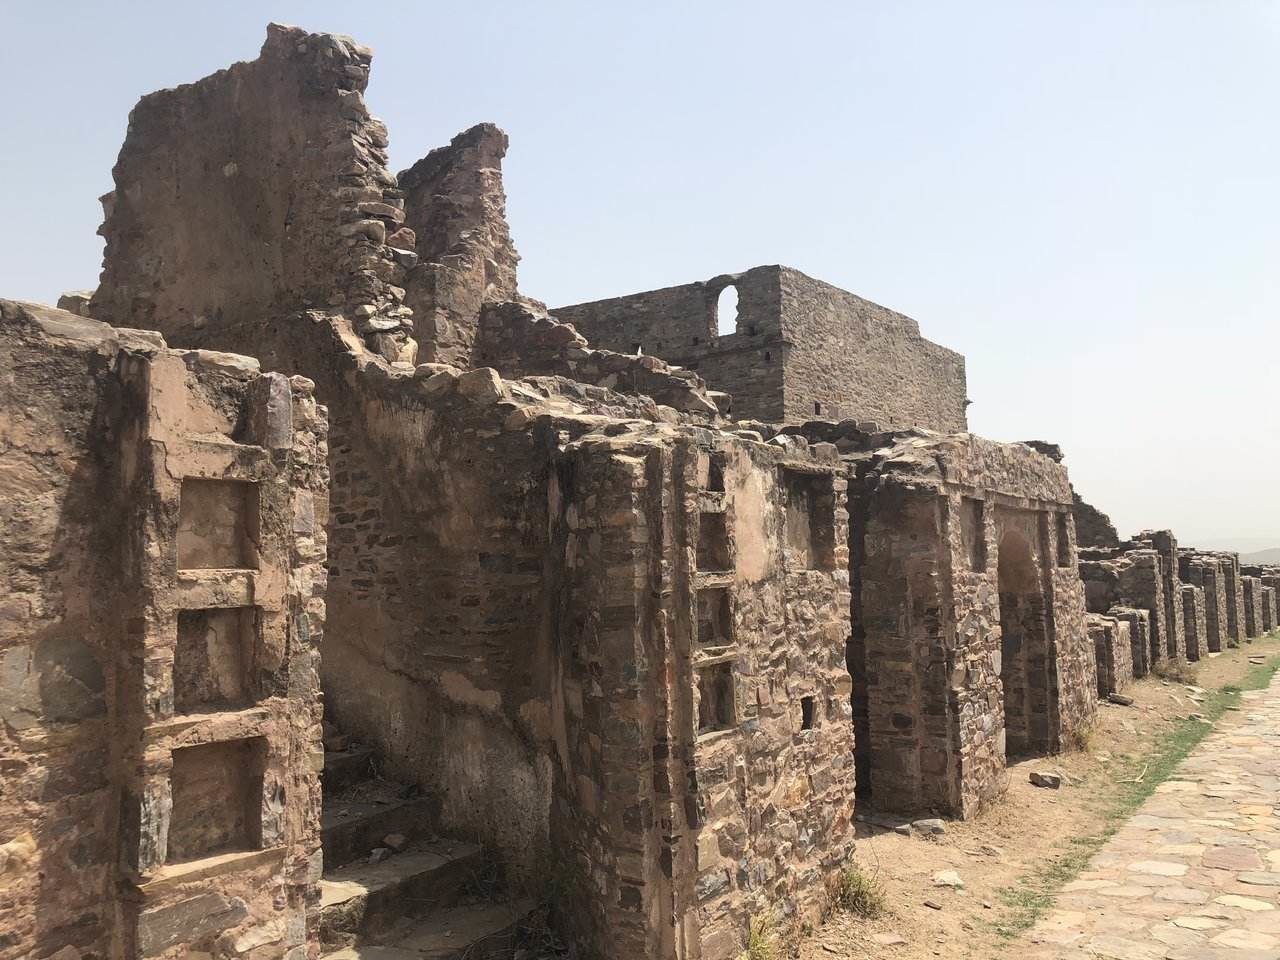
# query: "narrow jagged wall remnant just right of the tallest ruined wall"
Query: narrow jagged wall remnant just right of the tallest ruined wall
456,211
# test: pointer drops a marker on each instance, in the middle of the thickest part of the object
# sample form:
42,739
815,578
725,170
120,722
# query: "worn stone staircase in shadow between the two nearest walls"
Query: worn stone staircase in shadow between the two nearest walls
392,889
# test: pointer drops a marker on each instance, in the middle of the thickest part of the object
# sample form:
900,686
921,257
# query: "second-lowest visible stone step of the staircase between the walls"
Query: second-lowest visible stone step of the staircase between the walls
363,900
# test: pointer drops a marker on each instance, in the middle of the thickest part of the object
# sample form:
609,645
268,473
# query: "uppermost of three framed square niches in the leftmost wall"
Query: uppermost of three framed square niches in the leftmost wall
218,524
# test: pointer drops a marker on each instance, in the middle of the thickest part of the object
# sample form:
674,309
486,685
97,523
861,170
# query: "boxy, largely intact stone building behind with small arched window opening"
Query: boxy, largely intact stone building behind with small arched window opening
802,349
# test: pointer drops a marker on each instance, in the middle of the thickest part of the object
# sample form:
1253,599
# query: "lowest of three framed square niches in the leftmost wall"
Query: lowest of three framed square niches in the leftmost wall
217,799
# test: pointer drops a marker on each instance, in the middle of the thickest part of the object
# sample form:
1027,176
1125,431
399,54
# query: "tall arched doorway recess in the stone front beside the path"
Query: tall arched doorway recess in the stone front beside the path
1026,652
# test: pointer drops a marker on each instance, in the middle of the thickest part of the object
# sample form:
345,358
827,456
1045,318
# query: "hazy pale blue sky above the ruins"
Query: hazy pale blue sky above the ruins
1082,198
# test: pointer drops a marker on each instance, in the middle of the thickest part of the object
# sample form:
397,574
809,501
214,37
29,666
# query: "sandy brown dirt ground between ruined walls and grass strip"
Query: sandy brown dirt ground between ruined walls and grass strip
1013,838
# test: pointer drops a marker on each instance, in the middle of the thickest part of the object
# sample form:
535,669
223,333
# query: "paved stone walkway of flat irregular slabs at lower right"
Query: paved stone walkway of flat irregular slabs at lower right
1196,874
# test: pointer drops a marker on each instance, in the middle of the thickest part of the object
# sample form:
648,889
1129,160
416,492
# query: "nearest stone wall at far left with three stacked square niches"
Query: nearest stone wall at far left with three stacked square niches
108,848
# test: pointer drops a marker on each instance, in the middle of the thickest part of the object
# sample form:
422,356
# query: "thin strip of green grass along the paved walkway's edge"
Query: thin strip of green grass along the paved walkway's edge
1034,894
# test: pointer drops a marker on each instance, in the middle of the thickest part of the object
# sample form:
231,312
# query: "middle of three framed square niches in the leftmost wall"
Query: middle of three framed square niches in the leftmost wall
213,668
